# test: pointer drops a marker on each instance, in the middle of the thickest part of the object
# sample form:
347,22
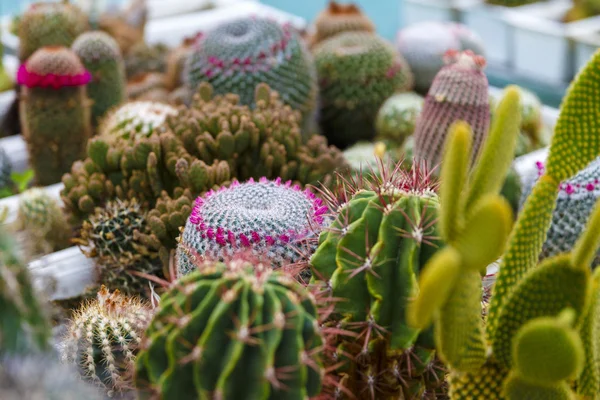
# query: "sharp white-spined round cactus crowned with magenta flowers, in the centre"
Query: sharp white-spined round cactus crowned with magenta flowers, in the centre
272,218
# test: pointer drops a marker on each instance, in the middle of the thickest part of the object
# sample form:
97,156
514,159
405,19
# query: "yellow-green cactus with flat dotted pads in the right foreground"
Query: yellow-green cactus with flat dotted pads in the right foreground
540,336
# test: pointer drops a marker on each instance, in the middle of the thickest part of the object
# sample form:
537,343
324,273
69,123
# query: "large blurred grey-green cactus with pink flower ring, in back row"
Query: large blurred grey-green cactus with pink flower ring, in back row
238,55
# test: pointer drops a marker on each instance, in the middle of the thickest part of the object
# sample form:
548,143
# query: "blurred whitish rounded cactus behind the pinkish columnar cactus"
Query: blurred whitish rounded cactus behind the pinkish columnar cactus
424,44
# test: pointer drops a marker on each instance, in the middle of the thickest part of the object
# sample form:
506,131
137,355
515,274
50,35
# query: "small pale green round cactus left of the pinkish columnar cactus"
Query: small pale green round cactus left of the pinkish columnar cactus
397,117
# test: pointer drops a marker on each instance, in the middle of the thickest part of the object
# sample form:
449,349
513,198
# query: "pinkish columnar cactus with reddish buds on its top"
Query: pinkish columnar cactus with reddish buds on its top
459,92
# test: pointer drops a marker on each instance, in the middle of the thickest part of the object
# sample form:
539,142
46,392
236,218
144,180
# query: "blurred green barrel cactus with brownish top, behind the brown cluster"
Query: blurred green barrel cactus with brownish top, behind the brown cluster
357,72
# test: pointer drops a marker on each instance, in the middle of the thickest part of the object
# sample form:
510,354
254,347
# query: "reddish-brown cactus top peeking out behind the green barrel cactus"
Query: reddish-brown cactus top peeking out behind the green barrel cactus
338,18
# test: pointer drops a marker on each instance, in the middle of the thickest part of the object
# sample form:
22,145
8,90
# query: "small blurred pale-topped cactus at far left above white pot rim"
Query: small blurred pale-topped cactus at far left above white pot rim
41,218
